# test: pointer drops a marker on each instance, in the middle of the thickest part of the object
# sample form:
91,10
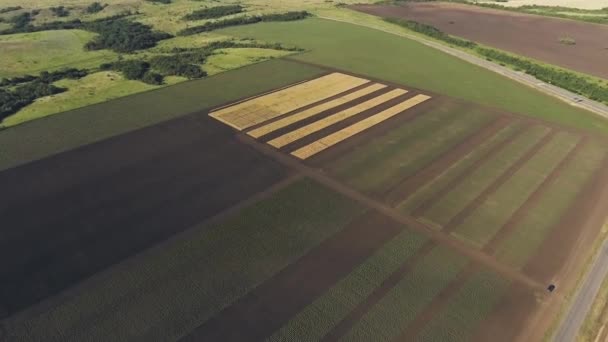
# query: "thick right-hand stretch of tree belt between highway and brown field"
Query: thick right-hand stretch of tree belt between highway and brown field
560,78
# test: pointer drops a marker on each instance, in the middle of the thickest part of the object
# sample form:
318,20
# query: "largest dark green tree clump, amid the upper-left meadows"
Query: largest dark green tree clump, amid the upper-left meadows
122,35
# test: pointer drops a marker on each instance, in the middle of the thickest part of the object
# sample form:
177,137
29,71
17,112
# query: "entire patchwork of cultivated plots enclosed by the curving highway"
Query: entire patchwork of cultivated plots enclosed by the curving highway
307,198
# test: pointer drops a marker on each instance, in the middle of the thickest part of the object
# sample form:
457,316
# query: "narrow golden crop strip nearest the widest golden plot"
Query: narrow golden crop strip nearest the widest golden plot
318,109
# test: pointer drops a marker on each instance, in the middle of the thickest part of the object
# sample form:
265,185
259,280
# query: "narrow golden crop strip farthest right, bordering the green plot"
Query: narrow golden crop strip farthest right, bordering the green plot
343,134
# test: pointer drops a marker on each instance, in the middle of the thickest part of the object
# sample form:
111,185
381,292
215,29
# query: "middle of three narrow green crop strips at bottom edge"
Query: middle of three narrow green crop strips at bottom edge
408,298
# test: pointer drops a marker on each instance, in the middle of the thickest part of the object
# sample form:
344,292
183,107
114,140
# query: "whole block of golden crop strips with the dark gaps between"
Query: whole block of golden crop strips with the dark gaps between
318,114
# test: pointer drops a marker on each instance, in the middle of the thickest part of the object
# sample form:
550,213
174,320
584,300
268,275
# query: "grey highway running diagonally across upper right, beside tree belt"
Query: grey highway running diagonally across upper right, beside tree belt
564,95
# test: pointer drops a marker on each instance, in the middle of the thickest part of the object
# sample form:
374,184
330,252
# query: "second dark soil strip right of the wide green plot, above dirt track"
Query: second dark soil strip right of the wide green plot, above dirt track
426,205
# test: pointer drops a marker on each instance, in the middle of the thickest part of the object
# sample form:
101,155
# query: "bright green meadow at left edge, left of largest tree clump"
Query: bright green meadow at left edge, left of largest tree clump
32,53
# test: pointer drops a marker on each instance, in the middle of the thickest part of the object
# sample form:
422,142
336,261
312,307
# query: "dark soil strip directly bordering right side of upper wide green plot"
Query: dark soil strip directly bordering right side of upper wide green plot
408,186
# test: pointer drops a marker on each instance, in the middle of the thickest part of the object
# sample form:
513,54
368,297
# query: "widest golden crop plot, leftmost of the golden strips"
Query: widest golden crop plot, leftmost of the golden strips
260,109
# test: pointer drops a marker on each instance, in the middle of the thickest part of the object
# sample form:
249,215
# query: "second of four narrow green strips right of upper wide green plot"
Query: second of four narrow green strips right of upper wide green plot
466,191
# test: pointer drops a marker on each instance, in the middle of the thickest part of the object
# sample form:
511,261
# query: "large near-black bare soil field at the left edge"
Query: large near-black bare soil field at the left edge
63,227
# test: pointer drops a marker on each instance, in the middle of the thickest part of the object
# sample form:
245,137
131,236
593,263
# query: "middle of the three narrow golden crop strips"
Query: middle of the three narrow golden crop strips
335,118
